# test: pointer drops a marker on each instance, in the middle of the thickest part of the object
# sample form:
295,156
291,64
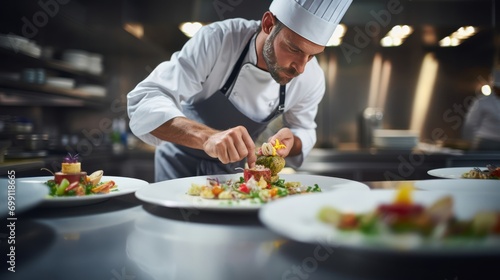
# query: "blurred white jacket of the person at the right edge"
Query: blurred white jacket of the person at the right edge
483,119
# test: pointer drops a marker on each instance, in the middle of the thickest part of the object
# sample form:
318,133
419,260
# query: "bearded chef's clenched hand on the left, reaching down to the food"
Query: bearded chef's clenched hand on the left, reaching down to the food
231,145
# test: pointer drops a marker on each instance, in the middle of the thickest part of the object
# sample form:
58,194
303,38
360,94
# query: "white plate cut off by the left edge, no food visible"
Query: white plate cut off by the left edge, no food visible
24,196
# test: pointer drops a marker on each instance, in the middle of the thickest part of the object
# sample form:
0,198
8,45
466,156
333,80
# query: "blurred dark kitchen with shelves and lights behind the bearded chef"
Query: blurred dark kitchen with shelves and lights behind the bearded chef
400,77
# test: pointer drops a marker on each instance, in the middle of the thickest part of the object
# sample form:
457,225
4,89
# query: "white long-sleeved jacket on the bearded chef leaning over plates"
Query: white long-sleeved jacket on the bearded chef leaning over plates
200,69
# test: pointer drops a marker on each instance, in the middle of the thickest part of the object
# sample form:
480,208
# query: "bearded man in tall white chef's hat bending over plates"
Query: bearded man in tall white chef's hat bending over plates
205,107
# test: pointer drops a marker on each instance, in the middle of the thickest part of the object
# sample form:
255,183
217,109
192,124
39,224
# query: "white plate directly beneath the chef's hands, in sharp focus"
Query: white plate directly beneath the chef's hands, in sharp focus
172,193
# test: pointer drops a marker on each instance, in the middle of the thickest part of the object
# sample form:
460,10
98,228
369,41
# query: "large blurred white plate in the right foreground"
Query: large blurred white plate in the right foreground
301,223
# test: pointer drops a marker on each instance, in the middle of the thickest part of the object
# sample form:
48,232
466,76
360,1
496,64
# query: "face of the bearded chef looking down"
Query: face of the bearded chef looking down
287,53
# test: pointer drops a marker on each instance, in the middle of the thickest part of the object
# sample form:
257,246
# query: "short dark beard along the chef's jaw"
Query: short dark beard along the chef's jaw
272,64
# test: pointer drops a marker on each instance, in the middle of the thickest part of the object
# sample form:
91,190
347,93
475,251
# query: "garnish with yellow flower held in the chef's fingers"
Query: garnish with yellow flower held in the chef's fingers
268,158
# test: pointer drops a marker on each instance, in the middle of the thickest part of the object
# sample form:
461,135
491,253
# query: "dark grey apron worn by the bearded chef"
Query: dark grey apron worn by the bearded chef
176,161
